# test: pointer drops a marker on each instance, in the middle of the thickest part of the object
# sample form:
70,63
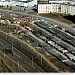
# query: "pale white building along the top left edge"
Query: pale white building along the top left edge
22,3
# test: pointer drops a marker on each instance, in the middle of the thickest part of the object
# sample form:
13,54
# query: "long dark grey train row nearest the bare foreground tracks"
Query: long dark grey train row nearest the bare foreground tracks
50,50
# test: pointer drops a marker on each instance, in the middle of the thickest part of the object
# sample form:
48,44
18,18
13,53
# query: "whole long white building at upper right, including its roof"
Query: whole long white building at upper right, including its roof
65,7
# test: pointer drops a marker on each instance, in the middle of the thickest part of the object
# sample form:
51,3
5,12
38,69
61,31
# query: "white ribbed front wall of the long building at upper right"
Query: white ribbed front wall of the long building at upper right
47,8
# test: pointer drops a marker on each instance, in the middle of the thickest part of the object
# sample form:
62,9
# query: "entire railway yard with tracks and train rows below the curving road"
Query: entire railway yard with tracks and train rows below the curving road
31,44
